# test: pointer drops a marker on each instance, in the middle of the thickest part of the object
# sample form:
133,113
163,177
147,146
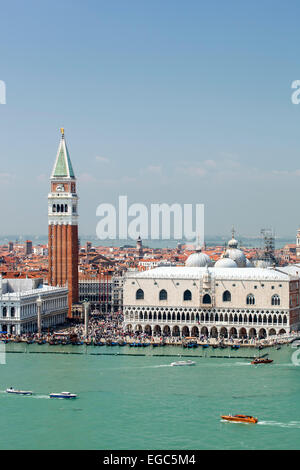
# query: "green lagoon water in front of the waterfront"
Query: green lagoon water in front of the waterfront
140,402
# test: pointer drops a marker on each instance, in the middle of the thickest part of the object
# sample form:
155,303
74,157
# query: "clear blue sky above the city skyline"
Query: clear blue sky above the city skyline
163,101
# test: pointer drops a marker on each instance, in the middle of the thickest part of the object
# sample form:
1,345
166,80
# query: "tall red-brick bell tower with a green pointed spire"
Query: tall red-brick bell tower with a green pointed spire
63,225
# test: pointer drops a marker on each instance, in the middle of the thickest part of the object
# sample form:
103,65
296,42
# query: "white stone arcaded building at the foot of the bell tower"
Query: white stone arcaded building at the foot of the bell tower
18,307
